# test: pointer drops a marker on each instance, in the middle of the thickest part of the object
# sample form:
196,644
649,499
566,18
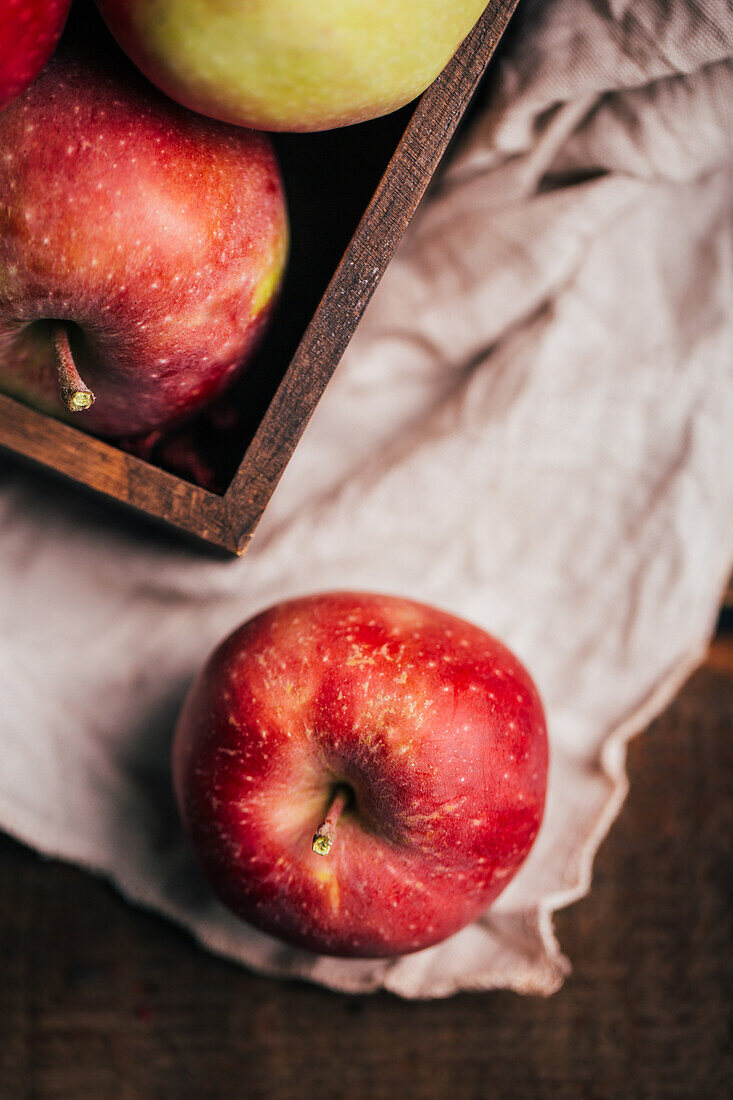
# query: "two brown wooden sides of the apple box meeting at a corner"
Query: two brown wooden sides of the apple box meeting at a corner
228,521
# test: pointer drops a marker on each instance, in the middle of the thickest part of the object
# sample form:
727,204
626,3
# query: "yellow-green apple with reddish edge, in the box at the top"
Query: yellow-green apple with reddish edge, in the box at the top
291,64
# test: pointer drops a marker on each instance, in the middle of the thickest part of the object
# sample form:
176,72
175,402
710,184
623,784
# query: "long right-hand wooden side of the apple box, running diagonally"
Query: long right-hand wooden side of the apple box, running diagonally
365,261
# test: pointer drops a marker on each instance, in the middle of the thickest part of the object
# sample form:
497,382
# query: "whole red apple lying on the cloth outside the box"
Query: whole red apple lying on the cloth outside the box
360,775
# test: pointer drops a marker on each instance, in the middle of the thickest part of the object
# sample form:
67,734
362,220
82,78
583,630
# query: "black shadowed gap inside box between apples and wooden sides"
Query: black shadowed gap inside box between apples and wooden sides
330,180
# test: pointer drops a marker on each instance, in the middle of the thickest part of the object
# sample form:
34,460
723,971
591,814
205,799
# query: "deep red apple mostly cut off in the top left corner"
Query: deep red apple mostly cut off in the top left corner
29,34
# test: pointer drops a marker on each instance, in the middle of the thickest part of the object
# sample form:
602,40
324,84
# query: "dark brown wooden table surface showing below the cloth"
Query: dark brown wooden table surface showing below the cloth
102,1000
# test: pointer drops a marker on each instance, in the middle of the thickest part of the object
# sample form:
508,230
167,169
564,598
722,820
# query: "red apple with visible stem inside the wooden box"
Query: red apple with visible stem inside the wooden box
141,247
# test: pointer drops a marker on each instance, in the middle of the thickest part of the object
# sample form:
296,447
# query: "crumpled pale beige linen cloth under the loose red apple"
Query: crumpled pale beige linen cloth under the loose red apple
531,430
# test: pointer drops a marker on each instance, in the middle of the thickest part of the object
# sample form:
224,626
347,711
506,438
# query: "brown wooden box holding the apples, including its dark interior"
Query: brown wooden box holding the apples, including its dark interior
371,177
